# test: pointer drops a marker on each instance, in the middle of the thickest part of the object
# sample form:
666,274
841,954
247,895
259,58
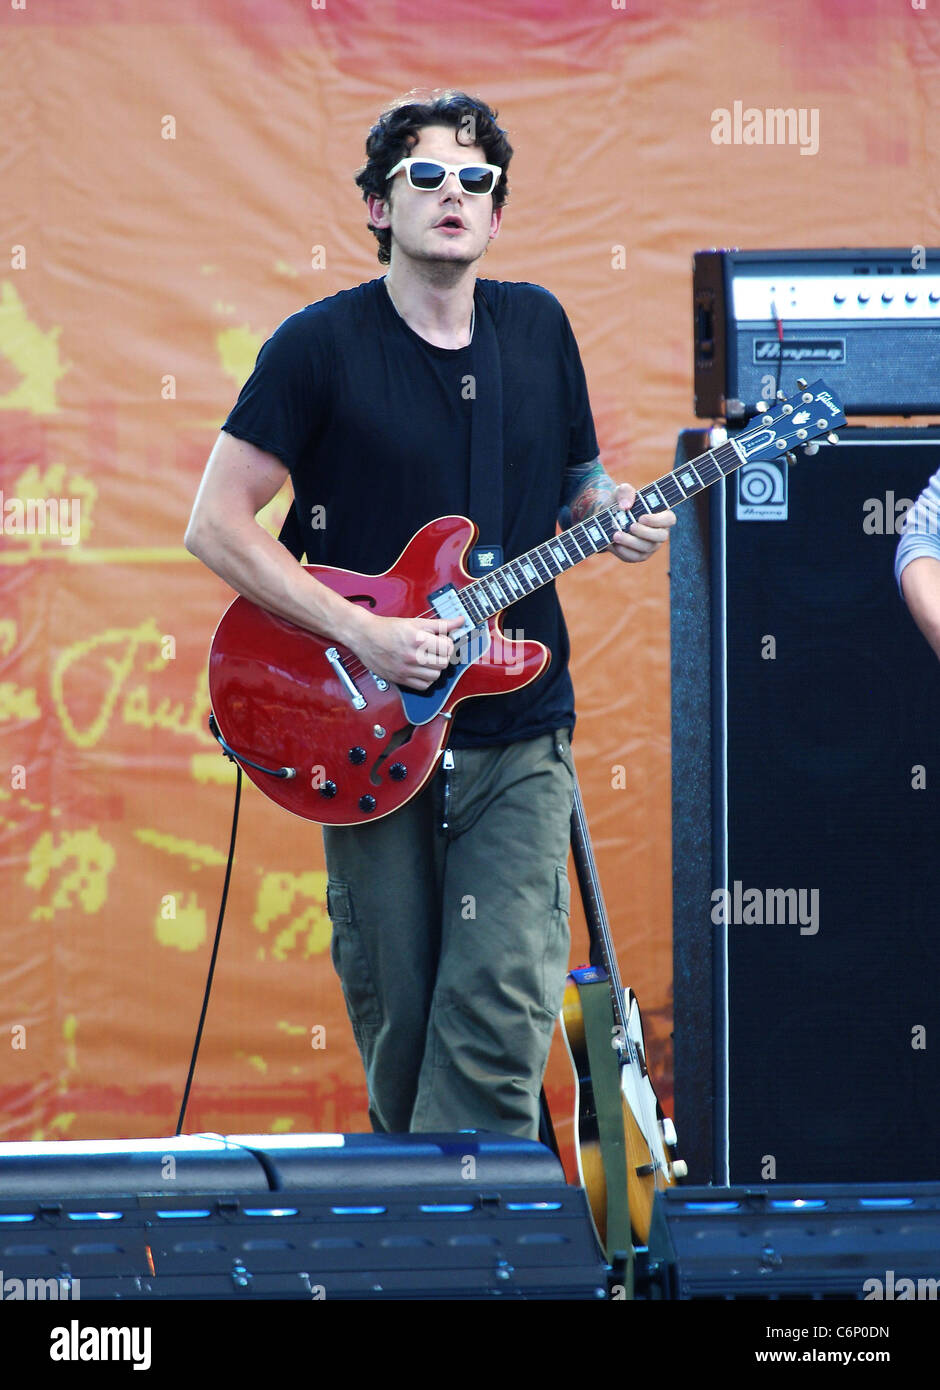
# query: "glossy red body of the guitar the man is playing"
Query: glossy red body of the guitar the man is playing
283,703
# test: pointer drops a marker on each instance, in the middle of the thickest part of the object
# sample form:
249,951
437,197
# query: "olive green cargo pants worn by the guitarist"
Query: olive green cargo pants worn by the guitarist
451,939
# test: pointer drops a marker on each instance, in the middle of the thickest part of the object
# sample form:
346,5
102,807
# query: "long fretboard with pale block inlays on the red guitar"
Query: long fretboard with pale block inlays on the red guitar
530,572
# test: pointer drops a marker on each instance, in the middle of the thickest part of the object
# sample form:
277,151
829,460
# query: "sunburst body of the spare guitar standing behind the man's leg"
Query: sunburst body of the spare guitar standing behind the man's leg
646,1131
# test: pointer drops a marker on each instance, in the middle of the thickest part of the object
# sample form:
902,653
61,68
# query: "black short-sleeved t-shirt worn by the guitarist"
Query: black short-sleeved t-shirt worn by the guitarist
375,426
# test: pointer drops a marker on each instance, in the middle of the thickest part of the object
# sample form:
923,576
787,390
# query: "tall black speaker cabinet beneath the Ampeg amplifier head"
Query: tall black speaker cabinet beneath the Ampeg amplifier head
807,837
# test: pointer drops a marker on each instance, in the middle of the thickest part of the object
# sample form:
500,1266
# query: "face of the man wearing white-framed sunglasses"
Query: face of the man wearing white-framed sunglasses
446,226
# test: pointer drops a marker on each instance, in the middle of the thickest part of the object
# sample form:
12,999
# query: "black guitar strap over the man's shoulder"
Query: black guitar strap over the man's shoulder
486,498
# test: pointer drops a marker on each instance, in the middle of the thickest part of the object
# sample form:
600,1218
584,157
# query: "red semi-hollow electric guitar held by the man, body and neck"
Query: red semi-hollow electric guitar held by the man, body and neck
341,746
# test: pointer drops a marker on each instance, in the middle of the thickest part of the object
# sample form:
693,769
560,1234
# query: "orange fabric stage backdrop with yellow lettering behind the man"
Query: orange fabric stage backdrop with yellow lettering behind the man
176,181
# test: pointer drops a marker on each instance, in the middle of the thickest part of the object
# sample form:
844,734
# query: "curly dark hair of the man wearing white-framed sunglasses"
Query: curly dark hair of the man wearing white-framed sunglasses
397,130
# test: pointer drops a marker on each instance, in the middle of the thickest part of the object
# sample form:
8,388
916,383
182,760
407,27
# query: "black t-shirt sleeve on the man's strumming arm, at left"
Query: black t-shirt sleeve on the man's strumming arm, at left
282,405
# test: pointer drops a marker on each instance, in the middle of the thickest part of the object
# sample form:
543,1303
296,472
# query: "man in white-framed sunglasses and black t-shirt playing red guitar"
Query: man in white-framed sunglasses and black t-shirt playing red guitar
450,915
